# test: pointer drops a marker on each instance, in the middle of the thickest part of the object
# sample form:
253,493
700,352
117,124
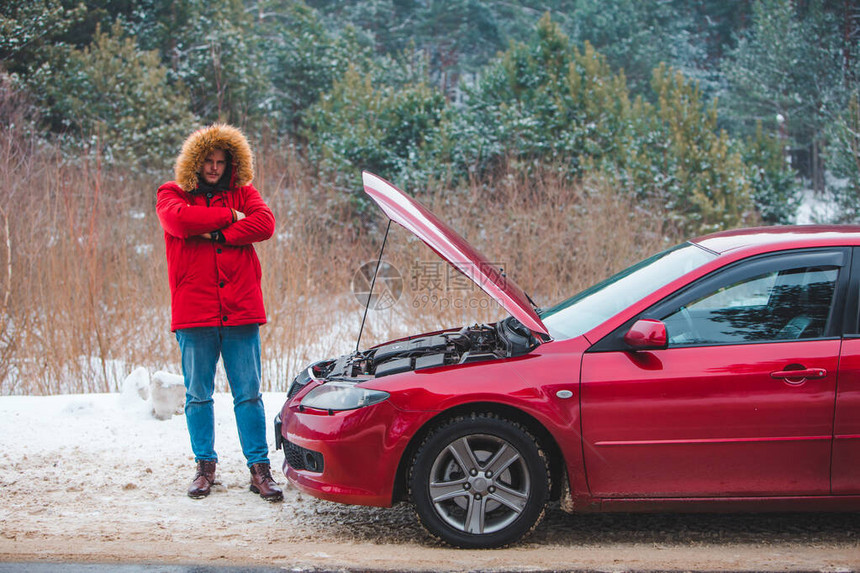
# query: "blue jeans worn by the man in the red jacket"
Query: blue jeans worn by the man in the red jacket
239,346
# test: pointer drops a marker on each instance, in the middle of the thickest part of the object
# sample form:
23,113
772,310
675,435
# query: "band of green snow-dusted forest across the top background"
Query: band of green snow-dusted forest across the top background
587,86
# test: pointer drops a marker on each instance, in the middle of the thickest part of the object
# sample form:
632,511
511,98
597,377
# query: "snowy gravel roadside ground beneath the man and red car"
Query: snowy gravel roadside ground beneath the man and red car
123,500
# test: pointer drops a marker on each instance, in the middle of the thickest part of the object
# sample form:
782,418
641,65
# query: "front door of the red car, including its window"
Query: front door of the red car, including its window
740,403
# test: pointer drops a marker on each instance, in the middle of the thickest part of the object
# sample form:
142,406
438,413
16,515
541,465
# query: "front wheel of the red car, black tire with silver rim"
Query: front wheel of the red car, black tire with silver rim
479,482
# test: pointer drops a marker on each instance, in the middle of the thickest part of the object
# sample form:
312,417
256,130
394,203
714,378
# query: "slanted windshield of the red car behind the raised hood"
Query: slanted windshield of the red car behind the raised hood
579,314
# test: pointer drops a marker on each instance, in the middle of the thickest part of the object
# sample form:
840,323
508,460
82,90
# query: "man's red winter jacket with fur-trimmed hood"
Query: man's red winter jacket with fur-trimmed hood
214,284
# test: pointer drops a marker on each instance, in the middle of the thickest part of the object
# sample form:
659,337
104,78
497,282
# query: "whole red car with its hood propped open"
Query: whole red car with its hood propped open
722,374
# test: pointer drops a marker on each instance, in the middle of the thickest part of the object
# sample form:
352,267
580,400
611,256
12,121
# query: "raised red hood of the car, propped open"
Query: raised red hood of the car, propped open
449,245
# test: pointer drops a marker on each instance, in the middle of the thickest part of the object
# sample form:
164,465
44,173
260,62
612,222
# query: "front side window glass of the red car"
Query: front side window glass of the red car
787,304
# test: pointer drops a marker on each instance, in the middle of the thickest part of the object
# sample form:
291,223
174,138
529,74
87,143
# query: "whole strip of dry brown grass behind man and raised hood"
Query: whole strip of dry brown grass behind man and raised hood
88,298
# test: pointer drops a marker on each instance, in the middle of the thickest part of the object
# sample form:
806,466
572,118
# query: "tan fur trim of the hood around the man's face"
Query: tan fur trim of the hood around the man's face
202,142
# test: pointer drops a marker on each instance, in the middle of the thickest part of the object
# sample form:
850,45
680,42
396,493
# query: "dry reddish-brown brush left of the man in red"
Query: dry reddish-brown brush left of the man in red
81,297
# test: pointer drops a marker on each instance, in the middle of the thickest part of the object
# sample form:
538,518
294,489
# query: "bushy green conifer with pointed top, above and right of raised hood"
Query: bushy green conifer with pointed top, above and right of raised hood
543,100
